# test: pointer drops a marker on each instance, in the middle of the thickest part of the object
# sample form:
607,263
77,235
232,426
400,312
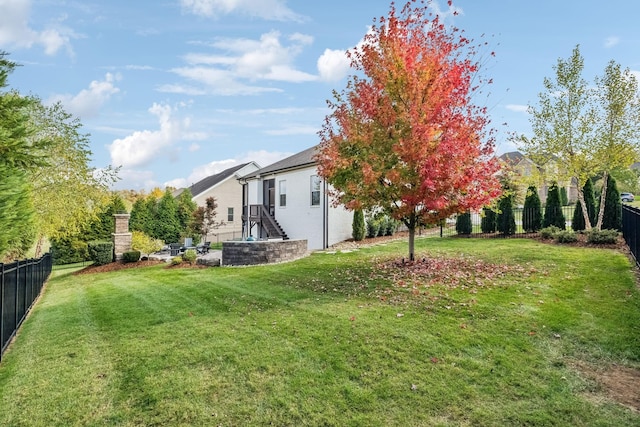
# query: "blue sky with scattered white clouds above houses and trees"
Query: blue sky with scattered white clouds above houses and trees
176,90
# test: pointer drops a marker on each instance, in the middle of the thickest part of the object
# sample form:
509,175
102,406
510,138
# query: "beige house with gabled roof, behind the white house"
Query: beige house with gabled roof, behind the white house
227,191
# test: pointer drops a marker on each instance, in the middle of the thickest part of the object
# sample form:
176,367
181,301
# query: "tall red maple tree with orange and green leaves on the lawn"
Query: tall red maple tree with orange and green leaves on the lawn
404,136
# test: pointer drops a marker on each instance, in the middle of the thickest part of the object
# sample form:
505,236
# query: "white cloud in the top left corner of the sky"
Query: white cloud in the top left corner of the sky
16,31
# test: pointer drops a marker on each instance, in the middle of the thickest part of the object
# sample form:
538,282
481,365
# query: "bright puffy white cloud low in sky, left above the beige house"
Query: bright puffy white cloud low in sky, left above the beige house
141,147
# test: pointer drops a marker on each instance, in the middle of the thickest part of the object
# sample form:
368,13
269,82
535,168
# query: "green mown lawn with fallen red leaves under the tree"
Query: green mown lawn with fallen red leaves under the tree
484,333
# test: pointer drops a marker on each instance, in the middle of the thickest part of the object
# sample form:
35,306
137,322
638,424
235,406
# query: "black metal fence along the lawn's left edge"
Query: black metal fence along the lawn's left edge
20,285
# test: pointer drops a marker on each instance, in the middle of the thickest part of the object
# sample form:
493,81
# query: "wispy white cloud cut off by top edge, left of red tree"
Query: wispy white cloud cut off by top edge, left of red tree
272,10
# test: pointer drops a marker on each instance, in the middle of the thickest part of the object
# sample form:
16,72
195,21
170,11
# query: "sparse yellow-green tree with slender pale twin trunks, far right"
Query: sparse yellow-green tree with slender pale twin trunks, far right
587,130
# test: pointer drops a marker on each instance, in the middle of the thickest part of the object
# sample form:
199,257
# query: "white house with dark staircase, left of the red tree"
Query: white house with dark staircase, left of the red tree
289,200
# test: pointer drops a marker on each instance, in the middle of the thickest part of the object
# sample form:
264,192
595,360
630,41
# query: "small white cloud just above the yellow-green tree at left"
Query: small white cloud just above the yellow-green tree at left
87,102
